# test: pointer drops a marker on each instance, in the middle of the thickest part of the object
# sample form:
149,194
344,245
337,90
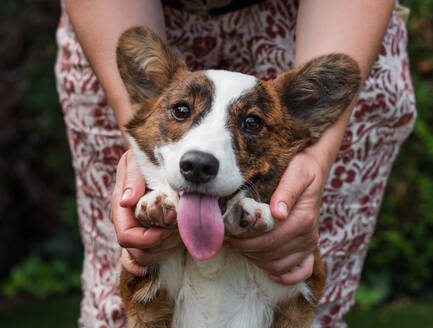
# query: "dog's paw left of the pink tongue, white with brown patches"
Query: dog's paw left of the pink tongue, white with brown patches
156,209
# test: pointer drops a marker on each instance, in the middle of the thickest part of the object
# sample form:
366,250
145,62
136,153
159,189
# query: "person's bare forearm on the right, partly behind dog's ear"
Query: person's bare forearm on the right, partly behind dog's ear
355,28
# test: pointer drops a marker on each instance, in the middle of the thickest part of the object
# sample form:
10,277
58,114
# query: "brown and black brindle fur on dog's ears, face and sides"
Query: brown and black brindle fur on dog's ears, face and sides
296,108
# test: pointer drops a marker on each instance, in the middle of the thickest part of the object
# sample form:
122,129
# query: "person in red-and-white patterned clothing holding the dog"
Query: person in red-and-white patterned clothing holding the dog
334,187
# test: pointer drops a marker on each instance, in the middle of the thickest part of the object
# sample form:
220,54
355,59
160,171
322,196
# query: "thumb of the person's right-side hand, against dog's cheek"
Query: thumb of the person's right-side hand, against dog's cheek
292,185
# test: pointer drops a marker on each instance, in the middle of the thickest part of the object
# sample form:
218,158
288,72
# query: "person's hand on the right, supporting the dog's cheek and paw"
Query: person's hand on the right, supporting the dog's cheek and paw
287,251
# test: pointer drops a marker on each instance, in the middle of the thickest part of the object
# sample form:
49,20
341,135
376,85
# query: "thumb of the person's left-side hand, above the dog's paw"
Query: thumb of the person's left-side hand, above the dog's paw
131,180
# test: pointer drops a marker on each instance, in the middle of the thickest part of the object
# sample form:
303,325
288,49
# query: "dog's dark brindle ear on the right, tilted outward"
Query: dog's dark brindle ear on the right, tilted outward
319,91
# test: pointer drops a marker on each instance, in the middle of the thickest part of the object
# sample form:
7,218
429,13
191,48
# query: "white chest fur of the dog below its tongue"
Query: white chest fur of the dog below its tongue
224,292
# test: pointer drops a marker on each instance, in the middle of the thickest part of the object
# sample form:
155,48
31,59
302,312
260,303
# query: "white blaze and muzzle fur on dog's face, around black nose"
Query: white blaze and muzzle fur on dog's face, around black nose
212,136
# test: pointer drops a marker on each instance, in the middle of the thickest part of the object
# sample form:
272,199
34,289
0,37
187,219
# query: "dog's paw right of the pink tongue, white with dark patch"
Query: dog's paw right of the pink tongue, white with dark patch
249,218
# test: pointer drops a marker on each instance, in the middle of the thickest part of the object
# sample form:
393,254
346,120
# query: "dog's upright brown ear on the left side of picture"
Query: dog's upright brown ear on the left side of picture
145,63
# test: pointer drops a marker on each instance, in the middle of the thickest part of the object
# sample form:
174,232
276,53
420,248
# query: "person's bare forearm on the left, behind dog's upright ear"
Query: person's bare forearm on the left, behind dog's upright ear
98,25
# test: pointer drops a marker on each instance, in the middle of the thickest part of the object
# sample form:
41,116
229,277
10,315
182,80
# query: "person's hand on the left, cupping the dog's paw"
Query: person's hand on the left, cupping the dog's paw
140,246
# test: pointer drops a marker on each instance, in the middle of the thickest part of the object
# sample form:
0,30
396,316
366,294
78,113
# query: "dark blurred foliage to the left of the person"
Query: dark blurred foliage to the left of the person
40,248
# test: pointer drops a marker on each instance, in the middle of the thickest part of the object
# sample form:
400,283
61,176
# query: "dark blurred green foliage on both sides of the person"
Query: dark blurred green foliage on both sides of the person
40,249
